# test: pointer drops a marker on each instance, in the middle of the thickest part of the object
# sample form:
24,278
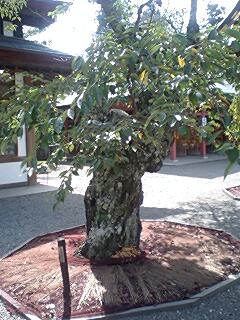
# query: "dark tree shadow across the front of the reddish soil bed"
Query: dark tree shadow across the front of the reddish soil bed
148,282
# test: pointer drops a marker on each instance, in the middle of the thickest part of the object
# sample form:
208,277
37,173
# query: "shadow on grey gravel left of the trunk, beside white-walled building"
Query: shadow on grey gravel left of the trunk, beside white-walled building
26,217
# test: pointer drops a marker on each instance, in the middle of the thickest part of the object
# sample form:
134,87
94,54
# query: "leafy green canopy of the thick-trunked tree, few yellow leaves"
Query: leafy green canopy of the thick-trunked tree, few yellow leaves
140,63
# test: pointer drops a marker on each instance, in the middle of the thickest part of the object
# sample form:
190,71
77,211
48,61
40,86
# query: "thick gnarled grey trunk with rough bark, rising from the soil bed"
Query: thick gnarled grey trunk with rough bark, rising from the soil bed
112,211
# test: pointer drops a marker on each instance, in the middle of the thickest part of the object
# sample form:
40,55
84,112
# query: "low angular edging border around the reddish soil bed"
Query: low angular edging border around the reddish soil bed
169,306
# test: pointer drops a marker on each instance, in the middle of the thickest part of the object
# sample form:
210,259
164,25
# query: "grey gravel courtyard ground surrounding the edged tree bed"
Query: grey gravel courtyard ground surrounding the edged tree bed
189,193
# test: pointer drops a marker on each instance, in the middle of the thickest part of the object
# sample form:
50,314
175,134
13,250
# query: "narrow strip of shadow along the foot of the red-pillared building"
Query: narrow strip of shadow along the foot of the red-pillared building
210,170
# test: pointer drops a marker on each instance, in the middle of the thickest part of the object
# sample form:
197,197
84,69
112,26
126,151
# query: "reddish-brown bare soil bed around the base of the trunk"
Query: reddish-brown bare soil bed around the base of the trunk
179,260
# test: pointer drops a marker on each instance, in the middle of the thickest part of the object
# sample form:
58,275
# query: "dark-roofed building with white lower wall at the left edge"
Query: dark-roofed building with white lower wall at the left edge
16,56
